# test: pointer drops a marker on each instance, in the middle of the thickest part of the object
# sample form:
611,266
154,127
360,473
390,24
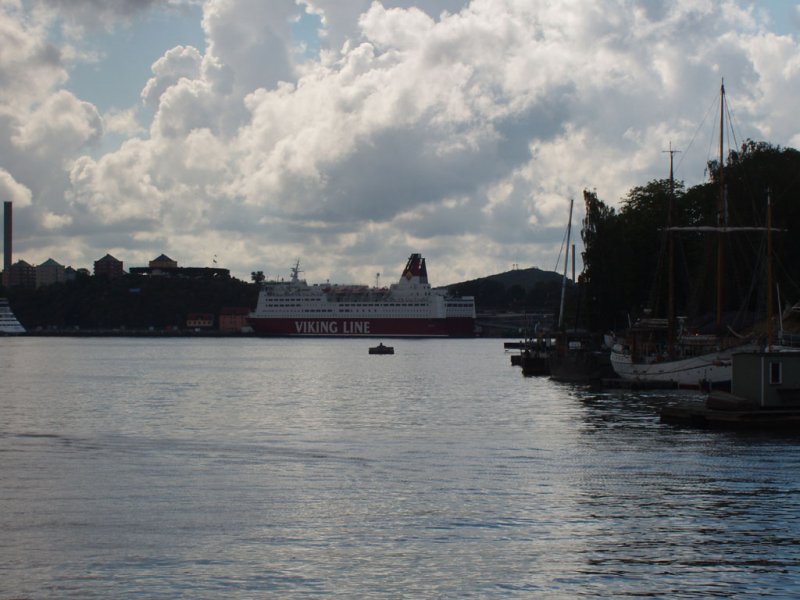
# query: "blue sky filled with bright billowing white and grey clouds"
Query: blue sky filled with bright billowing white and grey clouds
350,133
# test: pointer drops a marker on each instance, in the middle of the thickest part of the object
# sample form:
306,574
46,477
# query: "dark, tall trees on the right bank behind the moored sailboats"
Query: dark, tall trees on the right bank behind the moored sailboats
626,257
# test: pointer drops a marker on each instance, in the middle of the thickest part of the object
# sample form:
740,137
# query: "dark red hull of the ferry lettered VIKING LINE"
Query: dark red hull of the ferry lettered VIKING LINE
362,327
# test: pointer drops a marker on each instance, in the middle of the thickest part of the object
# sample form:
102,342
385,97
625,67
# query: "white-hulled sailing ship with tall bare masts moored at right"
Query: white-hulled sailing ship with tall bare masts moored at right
662,350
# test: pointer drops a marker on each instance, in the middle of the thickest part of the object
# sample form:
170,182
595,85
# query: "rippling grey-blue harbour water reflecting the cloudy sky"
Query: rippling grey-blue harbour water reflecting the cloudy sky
245,468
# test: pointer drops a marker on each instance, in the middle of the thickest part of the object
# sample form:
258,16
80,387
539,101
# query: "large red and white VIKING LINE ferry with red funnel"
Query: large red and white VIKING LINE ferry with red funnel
408,308
